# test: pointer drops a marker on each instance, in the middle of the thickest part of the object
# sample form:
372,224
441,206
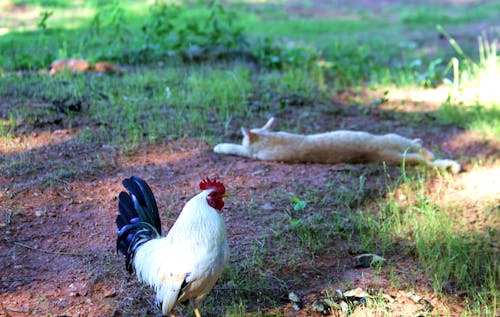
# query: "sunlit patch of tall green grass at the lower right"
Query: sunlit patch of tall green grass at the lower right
457,256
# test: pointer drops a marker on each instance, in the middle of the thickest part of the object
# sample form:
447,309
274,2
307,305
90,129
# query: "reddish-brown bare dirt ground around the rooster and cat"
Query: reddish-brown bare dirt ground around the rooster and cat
59,203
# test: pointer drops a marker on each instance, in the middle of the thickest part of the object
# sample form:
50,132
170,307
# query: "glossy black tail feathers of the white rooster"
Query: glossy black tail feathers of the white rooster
138,220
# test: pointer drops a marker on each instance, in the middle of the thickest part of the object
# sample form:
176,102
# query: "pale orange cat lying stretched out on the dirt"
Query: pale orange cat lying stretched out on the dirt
340,146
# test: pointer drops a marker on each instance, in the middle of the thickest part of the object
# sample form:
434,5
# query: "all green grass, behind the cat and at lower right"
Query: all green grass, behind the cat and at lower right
304,61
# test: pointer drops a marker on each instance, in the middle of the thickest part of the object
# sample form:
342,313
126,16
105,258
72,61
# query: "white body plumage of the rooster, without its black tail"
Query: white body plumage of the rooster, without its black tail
186,263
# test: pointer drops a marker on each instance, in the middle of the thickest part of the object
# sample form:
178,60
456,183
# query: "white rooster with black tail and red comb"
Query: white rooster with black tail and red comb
185,264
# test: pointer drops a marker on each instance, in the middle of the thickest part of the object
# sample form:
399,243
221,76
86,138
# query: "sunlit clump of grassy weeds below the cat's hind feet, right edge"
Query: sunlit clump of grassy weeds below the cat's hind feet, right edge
465,257
